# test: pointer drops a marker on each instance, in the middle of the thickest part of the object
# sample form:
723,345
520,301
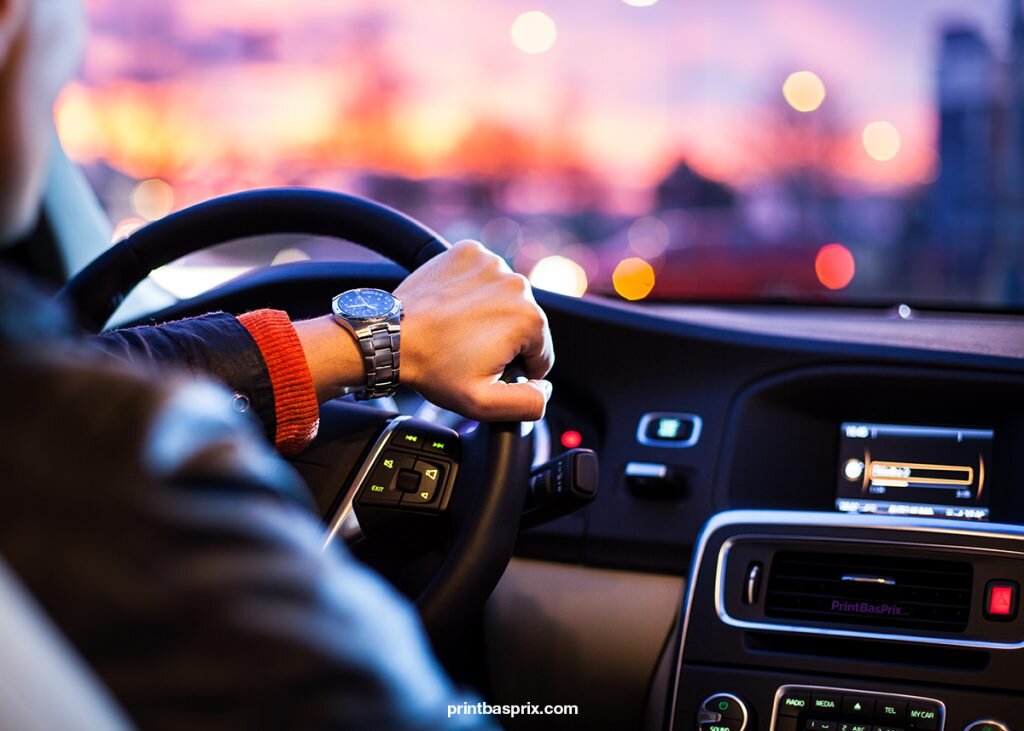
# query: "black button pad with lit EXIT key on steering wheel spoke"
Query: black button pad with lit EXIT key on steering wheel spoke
414,469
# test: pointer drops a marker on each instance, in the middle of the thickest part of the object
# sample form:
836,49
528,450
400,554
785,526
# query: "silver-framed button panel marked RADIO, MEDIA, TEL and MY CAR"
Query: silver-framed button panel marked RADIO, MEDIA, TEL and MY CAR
802,708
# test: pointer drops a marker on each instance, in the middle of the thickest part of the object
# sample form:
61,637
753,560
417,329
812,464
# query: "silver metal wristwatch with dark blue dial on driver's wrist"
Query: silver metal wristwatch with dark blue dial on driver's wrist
374,319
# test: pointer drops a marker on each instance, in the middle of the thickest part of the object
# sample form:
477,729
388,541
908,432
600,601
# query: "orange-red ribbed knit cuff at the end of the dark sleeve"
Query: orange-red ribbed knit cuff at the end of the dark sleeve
295,406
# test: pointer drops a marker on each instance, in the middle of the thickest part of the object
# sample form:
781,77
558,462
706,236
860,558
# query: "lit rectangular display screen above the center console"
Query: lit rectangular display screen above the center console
936,472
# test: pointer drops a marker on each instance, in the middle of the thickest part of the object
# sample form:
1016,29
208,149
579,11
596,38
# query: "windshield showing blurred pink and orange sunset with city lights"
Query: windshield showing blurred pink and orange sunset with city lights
708,150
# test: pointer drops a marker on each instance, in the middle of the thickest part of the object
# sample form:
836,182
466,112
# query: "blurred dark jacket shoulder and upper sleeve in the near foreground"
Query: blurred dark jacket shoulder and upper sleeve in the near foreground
180,556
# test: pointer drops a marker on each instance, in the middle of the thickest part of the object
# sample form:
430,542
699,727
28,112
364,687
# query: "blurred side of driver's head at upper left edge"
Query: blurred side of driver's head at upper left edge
40,46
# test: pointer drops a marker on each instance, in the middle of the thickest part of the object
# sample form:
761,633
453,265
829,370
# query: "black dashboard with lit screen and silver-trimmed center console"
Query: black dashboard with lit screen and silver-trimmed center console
738,444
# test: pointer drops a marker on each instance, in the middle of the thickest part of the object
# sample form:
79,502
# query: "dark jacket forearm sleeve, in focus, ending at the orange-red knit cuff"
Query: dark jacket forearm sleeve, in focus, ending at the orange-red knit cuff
216,346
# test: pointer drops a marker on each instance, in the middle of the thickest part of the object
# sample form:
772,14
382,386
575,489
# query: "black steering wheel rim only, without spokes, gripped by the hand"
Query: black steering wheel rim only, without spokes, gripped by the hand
484,546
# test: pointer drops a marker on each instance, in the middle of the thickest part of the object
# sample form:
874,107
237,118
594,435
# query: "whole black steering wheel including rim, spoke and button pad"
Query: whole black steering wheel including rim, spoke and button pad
470,525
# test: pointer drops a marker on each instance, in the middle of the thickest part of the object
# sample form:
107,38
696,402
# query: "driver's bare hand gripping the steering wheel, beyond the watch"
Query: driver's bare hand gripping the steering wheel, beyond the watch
468,317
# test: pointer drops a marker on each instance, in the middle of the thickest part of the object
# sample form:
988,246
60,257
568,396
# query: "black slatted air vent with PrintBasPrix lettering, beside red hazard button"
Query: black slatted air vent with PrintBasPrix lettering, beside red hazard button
877,591
